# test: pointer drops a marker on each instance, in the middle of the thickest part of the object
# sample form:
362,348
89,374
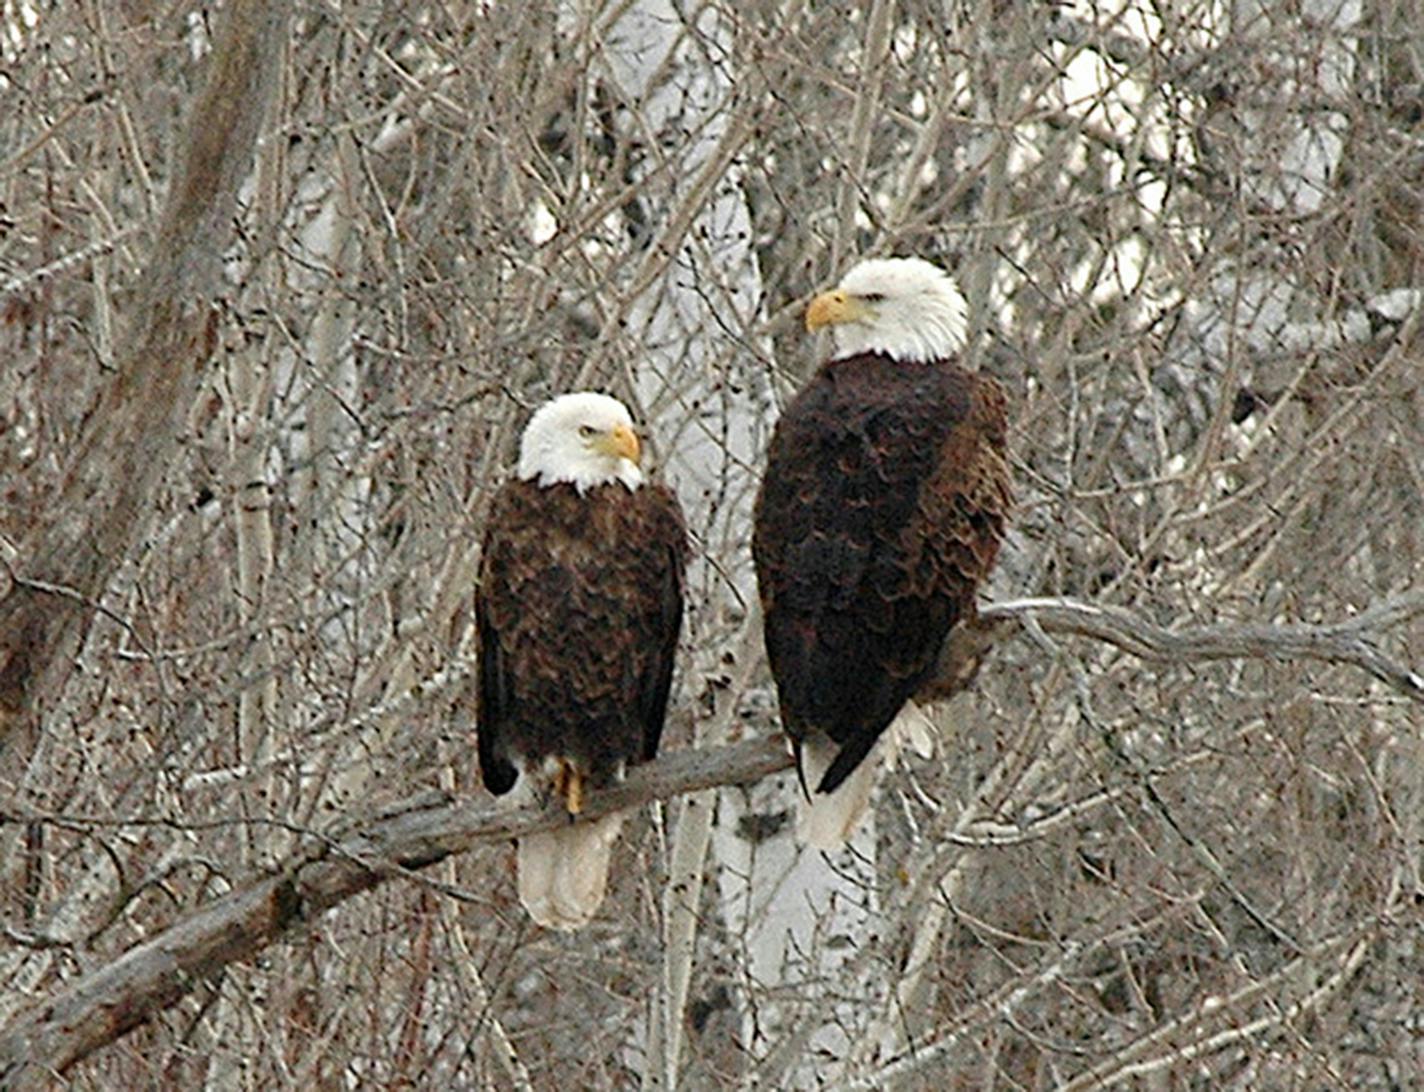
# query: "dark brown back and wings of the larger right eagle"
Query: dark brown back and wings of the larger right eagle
881,512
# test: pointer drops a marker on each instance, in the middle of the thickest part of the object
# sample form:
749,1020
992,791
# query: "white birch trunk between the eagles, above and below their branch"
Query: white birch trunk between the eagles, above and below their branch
711,412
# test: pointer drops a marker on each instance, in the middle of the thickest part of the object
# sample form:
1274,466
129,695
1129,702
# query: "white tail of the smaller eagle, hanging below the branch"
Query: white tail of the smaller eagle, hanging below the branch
565,872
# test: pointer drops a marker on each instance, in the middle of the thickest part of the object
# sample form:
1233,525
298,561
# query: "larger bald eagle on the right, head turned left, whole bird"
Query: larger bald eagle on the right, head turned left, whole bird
881,513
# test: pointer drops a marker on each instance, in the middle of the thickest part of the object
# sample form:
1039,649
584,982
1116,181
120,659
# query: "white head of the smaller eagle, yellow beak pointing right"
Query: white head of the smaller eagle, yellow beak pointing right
585,439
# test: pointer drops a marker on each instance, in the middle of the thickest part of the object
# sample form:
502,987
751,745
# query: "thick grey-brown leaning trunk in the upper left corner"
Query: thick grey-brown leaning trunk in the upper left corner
117,463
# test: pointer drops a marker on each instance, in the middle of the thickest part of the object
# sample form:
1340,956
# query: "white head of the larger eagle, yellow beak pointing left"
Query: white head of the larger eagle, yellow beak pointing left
905,308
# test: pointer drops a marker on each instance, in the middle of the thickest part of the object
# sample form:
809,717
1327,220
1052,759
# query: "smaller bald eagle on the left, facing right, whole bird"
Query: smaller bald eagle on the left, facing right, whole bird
579,611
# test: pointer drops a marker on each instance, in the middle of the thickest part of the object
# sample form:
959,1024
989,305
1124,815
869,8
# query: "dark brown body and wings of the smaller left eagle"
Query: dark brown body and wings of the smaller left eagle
579,613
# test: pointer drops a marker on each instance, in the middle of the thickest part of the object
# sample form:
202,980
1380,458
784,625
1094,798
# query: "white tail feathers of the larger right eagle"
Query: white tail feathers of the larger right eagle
828,821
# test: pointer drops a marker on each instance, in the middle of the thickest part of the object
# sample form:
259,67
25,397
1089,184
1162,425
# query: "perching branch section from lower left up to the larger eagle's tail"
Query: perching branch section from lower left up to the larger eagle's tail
103,1006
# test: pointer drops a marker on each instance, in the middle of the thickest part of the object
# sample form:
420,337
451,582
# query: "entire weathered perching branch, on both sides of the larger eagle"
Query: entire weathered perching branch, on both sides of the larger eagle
103,1006
